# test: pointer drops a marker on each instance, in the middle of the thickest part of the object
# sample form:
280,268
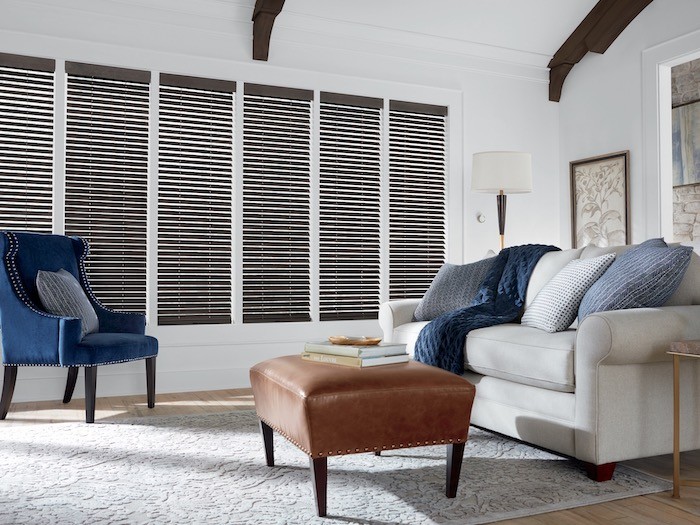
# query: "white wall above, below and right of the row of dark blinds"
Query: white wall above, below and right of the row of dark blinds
496,103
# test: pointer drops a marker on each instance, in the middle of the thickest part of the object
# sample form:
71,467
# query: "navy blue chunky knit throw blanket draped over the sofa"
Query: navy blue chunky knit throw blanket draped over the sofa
499,300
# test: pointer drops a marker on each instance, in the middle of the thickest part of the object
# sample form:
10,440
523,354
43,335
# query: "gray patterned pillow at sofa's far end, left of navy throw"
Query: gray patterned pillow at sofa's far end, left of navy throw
454,286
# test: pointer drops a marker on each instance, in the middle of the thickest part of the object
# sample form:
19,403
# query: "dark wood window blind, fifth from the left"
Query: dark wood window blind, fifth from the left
350,205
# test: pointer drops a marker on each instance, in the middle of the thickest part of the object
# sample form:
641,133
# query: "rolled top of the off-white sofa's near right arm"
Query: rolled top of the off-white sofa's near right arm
634,336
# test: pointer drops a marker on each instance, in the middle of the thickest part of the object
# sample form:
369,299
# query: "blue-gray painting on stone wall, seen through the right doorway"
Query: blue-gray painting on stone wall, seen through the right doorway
686,144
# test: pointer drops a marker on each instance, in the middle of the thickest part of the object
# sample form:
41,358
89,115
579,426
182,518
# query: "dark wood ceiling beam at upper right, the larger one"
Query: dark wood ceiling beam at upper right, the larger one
595,33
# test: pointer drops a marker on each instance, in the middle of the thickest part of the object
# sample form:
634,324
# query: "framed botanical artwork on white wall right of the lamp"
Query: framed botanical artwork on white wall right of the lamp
600,200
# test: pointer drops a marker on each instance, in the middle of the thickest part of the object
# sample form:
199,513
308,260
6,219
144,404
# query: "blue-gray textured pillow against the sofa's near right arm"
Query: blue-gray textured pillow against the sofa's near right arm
644,277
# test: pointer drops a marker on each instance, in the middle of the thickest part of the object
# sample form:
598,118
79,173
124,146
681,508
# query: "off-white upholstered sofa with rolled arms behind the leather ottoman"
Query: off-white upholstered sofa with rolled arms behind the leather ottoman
601,393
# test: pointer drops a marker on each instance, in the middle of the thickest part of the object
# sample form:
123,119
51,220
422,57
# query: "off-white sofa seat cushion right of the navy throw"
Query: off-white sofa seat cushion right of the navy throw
524,355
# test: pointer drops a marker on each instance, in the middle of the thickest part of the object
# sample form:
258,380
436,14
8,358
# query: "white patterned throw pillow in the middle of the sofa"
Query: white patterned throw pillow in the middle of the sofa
555,307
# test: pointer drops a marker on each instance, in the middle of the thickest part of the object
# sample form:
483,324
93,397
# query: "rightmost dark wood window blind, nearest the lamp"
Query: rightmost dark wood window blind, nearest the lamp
417,174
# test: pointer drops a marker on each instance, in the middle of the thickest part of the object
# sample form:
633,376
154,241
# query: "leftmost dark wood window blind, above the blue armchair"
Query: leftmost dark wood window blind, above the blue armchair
26,143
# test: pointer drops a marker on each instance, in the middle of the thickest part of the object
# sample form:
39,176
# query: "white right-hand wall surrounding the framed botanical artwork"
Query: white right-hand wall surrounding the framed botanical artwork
616,101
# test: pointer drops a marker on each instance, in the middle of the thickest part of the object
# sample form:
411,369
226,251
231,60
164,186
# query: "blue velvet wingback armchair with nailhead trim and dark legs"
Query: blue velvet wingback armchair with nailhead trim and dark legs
32,337
